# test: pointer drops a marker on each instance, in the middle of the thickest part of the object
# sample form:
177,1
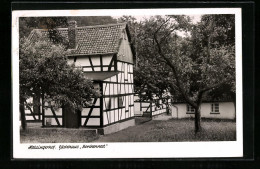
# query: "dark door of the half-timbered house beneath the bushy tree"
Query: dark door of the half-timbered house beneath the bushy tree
71,117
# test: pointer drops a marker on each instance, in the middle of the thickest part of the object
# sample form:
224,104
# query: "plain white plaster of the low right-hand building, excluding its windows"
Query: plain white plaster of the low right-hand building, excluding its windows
226,109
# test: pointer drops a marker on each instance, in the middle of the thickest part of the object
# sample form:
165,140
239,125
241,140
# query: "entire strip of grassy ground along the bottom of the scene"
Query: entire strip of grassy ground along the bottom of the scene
172,130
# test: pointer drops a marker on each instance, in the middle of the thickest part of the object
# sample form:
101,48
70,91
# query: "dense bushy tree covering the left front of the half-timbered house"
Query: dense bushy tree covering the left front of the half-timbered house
46,74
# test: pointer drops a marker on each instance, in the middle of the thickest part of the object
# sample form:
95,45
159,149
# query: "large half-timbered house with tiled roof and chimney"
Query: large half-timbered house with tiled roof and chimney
104,54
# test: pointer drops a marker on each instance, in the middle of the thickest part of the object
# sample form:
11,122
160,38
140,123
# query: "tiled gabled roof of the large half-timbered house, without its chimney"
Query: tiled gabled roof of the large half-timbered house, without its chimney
100,39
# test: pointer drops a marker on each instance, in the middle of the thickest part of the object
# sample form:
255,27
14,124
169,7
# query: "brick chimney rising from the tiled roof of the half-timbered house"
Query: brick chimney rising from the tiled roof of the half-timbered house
72,34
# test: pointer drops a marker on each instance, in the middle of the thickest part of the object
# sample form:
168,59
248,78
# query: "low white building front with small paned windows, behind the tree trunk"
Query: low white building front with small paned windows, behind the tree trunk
209,110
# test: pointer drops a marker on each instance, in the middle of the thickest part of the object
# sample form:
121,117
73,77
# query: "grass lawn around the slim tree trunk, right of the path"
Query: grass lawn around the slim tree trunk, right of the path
174,130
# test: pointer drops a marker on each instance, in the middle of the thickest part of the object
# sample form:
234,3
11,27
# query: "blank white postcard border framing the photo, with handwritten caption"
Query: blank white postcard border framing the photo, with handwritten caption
129,150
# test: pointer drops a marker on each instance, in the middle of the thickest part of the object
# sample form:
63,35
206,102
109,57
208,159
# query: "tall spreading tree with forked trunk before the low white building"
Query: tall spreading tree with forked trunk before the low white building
197,63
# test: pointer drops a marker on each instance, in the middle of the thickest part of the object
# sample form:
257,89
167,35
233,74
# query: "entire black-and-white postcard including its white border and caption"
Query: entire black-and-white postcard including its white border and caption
127,83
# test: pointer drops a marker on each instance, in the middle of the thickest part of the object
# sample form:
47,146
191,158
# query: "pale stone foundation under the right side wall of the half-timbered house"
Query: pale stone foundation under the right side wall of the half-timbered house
116,127
